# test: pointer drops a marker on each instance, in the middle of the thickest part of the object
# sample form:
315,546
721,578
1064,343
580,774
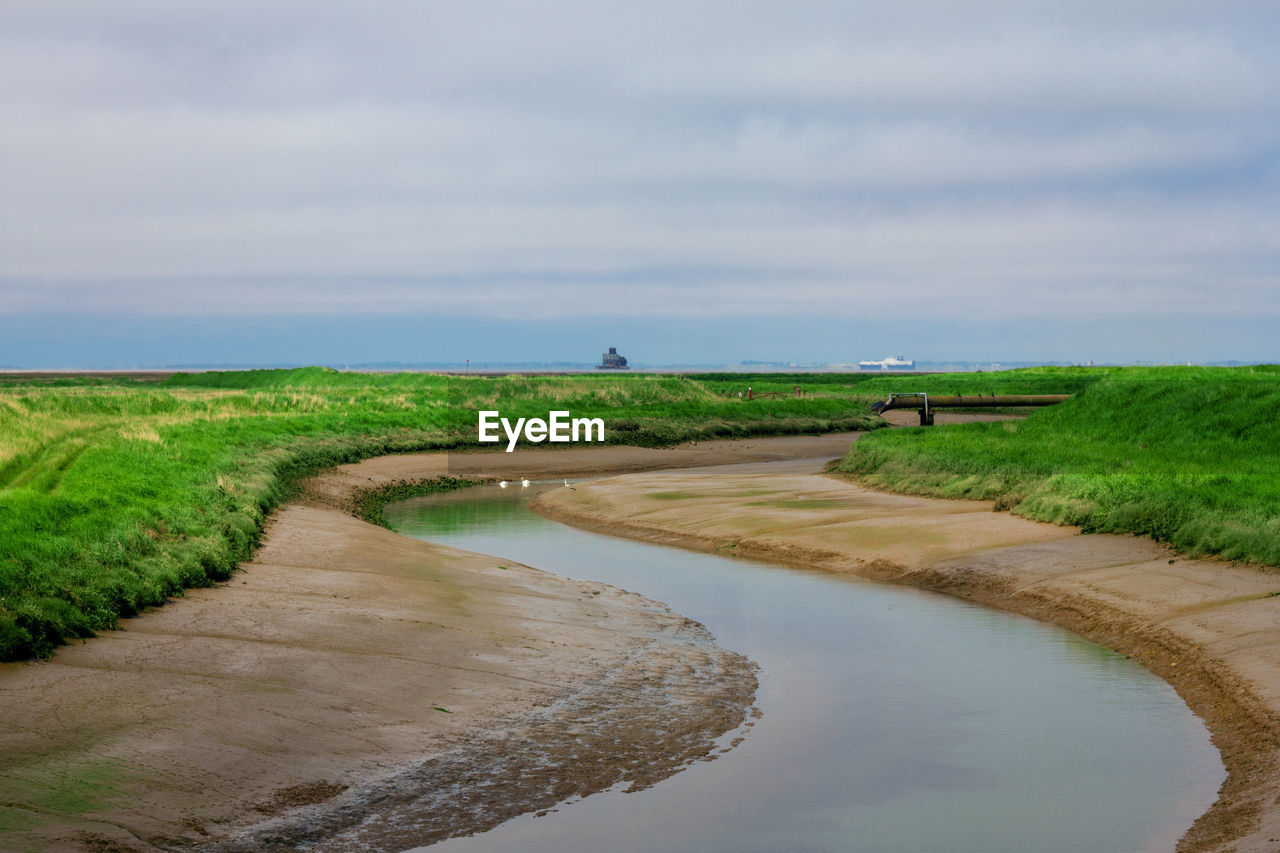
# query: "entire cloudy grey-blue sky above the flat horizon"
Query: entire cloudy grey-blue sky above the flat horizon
324,183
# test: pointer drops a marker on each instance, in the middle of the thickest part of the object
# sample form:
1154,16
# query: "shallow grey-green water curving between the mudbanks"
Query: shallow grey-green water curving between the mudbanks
894,720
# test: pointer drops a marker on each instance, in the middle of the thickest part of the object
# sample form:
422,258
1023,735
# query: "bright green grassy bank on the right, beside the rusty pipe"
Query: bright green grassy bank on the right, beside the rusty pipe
1190,457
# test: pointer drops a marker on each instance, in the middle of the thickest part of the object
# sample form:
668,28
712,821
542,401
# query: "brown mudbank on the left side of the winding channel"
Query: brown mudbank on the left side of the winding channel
355,690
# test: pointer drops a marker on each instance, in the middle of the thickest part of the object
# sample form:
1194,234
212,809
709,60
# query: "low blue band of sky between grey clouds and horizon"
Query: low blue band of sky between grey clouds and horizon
115,341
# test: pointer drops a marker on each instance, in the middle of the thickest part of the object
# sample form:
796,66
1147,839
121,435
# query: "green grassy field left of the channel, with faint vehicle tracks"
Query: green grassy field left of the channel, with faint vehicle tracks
117,494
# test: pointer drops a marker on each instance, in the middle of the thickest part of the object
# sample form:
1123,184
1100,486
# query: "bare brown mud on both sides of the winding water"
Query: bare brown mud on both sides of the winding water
350,672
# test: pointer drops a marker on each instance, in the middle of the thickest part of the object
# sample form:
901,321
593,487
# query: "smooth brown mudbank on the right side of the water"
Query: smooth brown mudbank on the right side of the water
1210,628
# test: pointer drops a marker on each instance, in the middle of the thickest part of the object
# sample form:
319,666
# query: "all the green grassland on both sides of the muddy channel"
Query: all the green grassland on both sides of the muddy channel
117,494
